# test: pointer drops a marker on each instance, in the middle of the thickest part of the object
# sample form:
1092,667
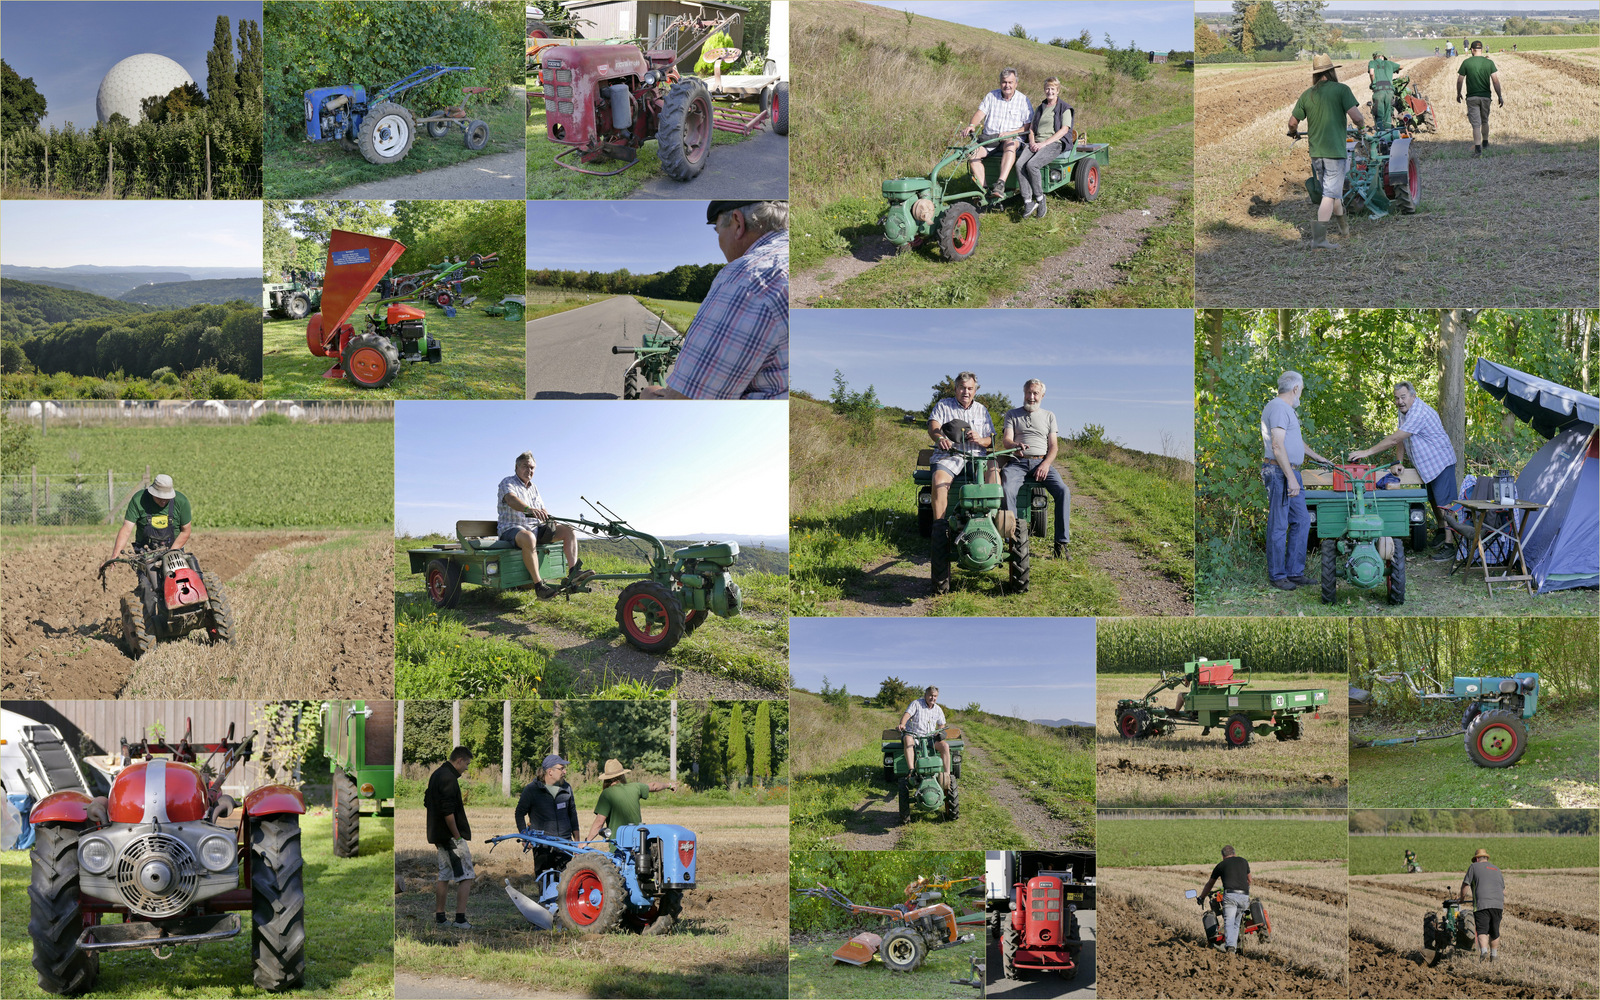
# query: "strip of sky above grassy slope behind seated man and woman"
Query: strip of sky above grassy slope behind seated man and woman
1154,25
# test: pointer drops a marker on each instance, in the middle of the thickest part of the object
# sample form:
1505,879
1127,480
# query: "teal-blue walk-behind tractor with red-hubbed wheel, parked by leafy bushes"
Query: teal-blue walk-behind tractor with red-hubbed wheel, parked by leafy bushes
1494,722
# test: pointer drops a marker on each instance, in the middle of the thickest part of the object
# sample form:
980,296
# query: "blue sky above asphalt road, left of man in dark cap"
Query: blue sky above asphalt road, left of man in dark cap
649,236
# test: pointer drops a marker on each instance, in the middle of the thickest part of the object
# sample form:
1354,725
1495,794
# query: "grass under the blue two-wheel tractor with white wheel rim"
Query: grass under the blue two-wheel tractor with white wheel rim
298,169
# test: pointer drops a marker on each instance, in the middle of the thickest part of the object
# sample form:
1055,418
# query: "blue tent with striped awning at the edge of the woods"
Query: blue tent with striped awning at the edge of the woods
1562,542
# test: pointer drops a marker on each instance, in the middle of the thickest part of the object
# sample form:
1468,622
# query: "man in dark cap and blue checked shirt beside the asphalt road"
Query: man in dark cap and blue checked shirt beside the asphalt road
738,345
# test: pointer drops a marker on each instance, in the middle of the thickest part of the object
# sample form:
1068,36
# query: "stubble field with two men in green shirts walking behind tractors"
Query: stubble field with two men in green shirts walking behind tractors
1514,228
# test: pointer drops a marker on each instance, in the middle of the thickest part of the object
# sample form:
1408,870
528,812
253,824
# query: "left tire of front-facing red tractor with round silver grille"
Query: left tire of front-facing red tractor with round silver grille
55,911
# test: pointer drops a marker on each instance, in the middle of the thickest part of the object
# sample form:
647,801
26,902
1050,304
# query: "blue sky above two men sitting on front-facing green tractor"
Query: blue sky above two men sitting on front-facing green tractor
1130,370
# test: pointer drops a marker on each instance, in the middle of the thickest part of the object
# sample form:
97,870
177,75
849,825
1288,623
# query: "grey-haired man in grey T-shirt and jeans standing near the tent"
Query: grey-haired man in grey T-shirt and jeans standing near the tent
1289,522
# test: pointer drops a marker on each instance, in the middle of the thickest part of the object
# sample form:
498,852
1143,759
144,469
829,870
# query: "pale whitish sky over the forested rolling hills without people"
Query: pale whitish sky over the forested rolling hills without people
119,234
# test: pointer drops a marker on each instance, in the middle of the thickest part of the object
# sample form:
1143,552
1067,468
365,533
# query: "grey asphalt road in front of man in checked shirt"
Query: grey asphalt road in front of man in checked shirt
570,353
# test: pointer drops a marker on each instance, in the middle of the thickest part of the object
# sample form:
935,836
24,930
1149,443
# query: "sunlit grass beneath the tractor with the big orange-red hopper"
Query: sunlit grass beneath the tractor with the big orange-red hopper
484,359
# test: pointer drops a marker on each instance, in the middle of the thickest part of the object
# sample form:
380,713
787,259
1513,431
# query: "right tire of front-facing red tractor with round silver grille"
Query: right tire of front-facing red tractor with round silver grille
278,935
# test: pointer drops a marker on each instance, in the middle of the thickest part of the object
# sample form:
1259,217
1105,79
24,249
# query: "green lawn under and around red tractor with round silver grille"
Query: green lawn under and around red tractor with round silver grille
350,932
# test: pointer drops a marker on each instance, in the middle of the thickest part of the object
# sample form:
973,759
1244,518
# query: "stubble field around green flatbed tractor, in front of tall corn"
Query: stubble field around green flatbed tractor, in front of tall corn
1193,770
